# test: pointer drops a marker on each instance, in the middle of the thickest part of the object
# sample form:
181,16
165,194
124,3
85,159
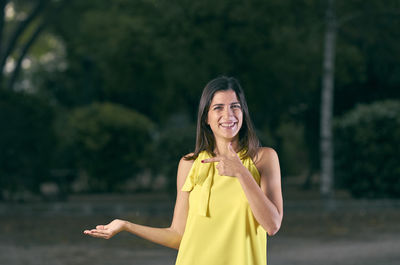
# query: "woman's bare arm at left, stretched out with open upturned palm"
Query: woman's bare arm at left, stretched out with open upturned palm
170,236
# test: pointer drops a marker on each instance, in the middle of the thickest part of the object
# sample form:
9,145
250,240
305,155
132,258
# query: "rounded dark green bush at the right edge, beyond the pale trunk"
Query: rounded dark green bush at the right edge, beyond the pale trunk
367,150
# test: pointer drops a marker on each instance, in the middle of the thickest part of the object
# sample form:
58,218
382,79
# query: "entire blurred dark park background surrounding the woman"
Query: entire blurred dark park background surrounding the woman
98,102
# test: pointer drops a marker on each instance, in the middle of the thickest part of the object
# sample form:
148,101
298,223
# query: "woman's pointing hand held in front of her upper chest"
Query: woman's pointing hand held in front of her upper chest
228,165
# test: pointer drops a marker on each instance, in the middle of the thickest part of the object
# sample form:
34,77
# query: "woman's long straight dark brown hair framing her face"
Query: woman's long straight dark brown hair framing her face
205,140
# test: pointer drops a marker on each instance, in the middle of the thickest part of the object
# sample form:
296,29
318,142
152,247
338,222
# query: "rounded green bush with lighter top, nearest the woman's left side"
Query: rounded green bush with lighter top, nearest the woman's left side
111,143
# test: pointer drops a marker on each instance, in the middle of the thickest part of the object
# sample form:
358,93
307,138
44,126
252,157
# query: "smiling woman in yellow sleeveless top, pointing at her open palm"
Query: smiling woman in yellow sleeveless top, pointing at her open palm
226,203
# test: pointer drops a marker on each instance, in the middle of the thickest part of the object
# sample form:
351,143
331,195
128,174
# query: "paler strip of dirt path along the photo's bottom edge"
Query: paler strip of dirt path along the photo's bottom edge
282,251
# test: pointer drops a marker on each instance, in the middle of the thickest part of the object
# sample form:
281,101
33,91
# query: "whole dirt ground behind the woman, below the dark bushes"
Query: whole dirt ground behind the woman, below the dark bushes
354,233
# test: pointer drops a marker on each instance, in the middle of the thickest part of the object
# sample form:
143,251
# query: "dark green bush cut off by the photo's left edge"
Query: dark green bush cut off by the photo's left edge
27,142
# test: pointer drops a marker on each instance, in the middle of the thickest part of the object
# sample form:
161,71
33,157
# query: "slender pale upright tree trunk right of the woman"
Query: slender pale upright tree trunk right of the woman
326,134
